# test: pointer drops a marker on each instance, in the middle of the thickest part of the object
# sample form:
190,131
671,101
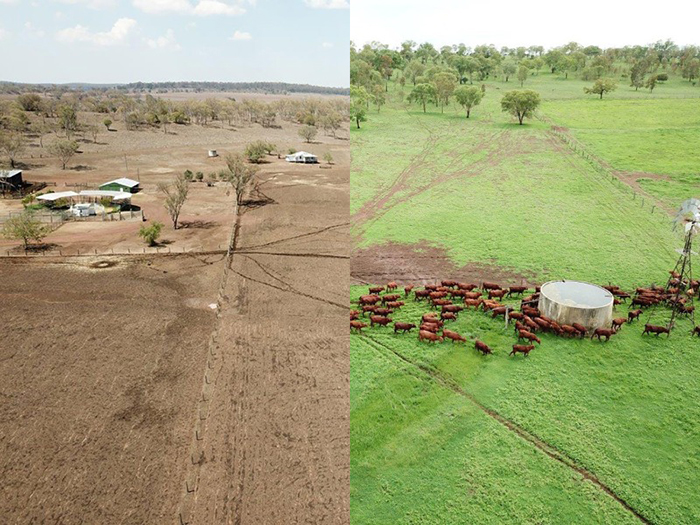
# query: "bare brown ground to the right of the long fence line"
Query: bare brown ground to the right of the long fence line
274,442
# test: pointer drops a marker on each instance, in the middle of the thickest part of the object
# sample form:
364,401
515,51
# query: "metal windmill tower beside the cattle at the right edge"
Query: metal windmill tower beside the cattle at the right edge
681,278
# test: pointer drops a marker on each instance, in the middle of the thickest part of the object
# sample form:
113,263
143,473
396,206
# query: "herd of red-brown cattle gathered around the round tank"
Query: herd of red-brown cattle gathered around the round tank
452,297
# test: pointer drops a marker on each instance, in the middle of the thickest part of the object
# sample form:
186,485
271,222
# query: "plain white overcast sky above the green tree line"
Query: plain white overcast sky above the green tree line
512,23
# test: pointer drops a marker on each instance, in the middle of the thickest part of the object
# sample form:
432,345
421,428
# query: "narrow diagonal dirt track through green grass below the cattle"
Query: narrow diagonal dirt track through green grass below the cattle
526,435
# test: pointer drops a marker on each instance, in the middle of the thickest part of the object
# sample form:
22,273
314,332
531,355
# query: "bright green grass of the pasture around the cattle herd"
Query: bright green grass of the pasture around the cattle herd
489,191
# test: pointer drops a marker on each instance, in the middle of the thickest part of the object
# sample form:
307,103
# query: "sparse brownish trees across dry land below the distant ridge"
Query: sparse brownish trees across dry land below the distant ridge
63,117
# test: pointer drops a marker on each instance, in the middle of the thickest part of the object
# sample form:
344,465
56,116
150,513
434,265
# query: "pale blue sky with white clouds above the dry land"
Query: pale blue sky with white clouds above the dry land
109,41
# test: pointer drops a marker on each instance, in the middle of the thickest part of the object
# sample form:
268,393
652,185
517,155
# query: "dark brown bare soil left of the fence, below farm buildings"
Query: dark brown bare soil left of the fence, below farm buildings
99,379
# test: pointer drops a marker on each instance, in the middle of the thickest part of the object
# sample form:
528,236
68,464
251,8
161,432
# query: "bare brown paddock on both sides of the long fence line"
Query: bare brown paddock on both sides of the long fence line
126,399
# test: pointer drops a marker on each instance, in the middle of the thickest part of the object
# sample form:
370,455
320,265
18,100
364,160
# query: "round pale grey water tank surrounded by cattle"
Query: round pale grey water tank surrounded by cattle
569,302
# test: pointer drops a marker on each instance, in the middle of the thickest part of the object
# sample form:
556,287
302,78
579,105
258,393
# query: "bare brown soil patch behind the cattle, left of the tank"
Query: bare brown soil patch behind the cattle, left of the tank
423,264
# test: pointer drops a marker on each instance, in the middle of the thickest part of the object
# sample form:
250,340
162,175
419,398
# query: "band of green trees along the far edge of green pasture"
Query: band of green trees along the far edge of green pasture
436,76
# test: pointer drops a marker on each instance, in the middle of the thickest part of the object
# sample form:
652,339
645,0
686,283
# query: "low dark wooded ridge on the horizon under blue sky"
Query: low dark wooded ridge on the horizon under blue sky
241,87
